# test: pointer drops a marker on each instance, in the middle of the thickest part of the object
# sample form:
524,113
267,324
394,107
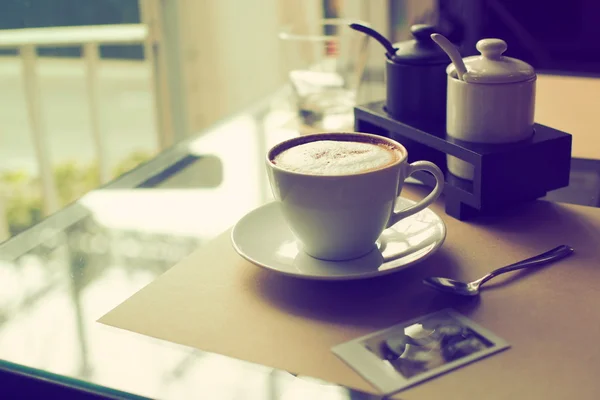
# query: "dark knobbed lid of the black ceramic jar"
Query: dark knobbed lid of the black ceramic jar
421,50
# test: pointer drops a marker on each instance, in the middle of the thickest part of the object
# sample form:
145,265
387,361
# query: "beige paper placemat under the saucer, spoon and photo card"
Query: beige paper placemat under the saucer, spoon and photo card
218,302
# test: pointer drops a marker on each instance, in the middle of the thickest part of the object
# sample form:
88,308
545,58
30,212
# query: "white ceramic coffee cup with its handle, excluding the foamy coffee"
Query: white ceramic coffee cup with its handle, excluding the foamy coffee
340,217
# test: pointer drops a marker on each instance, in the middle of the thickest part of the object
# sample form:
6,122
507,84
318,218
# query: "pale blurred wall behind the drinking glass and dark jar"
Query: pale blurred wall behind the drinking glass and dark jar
229,55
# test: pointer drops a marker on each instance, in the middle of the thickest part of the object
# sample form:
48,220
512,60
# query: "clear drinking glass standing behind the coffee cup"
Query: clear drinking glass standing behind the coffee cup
325,61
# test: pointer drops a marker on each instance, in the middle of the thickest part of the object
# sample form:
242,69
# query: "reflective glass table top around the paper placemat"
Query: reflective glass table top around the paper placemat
59,277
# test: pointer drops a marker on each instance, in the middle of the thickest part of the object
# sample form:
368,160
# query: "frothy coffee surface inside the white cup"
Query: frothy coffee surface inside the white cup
332,157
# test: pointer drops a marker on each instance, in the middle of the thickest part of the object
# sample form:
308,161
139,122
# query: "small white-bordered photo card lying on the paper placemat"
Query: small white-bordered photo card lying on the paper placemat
411,352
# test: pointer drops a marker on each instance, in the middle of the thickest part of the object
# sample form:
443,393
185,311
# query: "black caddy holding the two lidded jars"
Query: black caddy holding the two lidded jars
505,175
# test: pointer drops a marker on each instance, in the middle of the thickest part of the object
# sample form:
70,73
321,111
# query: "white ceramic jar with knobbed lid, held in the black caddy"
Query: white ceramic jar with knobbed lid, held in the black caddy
494,103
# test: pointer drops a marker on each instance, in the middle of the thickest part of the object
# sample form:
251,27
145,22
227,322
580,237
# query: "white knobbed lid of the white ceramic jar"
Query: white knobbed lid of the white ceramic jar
492,67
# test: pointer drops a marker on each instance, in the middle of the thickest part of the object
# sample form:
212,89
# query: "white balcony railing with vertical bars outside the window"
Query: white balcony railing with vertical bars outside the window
89,38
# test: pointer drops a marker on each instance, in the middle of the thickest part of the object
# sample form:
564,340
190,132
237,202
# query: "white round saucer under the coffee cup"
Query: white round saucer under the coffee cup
263,238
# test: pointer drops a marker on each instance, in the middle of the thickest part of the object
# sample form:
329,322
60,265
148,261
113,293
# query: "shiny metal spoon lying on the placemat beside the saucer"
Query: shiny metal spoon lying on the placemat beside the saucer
472,288
